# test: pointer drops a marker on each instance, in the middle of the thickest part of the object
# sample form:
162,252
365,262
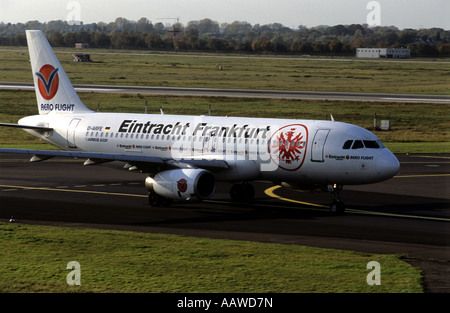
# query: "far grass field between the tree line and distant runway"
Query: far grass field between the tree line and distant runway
350,75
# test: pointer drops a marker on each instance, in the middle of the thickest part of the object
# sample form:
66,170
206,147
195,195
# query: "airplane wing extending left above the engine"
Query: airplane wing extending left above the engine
140,161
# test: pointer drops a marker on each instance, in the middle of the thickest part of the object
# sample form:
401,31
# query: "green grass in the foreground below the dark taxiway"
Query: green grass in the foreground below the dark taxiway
34,259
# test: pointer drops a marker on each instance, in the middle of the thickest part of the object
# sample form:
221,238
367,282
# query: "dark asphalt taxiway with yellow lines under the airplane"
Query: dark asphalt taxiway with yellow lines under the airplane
408,215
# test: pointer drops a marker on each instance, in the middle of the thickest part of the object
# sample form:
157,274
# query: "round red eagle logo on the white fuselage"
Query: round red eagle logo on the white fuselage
287,146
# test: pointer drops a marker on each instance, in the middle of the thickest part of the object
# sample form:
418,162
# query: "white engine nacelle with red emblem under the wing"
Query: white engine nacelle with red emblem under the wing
183,184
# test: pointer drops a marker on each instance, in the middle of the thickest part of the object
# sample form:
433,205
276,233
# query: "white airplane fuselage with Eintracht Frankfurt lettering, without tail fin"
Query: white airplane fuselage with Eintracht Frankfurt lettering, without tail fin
279,150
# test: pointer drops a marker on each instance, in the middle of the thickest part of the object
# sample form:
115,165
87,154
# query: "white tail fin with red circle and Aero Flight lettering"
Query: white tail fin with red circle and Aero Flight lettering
54,92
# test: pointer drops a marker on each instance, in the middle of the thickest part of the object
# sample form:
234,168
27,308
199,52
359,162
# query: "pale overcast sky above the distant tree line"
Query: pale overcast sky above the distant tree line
292,13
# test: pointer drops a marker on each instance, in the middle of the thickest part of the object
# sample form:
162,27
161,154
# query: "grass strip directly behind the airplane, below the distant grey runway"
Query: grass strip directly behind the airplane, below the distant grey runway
416,127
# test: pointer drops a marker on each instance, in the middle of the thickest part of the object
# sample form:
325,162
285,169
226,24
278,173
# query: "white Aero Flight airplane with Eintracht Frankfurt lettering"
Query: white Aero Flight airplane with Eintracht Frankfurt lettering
185,155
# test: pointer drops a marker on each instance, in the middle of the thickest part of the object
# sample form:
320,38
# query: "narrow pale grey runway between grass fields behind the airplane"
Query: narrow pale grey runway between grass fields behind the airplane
246,93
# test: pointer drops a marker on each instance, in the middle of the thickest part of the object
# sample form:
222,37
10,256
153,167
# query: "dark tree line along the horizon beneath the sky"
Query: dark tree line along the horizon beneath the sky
209,35
